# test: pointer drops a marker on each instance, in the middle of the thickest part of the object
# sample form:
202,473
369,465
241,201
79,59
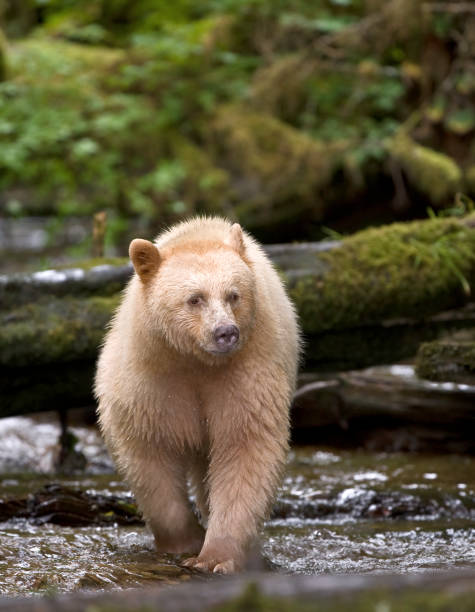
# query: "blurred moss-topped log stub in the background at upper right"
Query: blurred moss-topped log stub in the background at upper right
434,174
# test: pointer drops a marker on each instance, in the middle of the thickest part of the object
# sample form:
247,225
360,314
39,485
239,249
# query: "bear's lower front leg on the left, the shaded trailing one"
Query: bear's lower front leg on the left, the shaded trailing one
159,485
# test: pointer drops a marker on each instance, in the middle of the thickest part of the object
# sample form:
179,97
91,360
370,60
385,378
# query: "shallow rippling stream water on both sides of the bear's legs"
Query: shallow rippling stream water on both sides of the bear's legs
338,512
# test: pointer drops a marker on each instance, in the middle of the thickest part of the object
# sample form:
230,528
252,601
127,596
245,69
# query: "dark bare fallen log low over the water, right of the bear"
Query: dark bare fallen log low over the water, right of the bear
385,408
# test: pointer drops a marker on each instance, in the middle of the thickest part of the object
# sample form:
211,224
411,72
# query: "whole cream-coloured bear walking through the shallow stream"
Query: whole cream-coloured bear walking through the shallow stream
194,384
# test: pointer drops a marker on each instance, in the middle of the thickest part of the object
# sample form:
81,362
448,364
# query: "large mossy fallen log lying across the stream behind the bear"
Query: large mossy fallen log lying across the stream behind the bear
370,298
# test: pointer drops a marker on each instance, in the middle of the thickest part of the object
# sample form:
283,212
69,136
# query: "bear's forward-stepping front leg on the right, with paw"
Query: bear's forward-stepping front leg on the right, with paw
245,468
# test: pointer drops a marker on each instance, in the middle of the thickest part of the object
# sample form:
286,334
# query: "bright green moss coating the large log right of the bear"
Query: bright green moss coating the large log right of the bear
398,271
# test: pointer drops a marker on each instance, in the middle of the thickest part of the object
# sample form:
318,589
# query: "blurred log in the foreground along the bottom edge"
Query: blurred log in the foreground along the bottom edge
262,592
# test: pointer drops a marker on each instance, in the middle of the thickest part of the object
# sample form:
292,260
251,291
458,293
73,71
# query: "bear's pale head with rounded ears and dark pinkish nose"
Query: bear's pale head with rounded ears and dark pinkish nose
199,295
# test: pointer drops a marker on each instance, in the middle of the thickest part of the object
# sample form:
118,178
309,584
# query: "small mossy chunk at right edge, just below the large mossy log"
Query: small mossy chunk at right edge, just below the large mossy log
447,360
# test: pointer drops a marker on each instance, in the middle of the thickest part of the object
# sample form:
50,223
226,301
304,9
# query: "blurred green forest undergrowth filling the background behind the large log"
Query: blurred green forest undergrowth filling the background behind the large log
113,104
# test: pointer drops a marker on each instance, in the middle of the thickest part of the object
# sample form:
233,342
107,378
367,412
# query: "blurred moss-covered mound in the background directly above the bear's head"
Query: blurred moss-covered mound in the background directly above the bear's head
276,170
